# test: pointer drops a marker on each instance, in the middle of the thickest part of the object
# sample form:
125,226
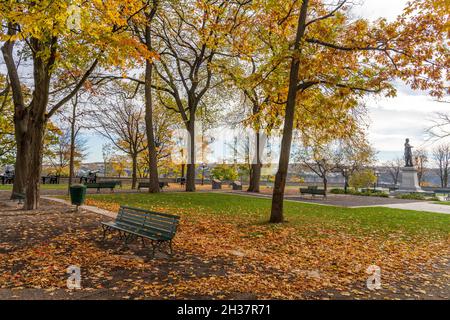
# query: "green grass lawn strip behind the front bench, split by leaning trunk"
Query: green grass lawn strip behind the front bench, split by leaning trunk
376,220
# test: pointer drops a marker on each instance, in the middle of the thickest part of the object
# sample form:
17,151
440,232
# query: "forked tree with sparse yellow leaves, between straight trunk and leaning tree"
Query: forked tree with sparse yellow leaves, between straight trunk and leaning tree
188,35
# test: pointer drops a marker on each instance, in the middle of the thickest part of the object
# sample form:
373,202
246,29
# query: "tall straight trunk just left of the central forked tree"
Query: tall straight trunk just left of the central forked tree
152,152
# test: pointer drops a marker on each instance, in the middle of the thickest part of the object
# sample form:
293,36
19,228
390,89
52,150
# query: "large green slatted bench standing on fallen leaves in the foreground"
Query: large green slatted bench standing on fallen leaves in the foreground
133,223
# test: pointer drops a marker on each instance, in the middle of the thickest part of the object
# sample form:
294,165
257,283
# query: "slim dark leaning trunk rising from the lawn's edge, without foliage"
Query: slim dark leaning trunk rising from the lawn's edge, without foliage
281,176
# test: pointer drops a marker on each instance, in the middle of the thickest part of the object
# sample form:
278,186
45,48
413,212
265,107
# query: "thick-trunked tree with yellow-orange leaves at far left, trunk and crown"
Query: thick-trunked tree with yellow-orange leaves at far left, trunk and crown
65,47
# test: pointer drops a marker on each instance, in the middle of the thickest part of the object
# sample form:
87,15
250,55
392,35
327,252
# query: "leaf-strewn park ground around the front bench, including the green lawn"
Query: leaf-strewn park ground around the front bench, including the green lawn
224,249
